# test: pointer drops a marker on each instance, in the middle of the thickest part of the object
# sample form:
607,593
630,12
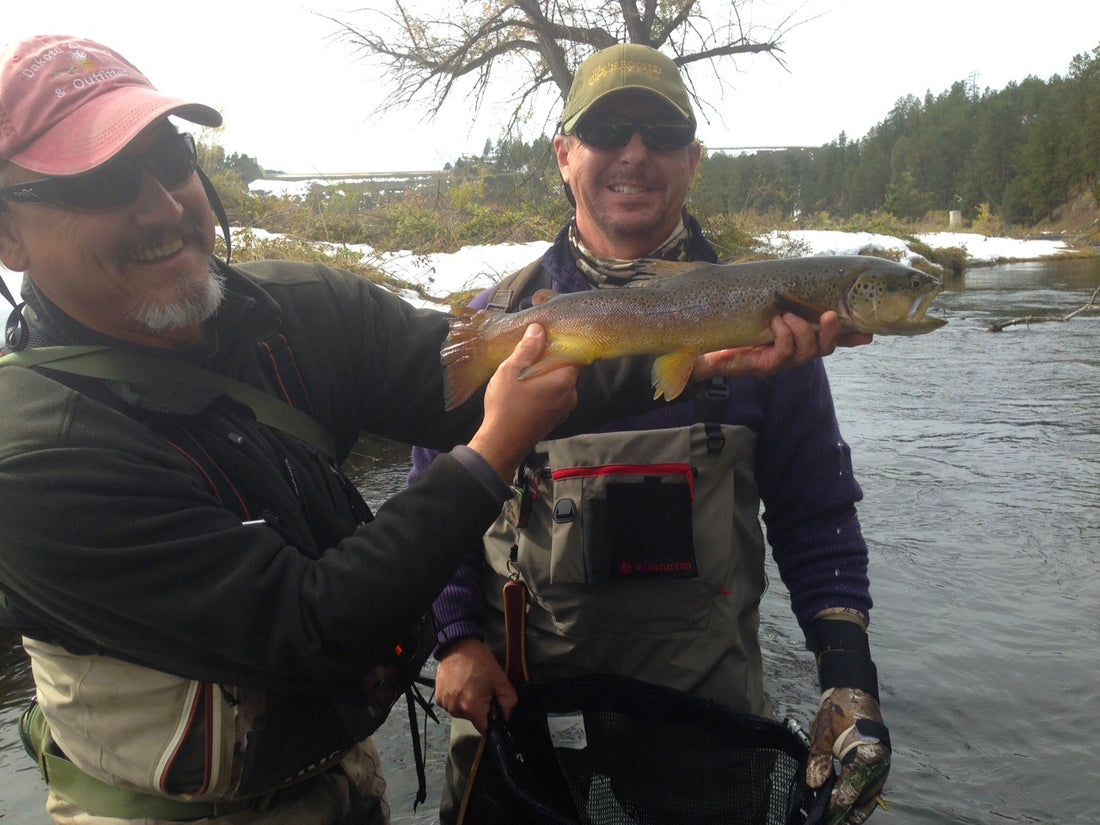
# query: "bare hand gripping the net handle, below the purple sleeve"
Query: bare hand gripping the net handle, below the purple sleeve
469,679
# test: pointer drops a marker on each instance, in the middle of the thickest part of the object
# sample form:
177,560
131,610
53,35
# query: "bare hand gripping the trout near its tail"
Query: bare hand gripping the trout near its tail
520,413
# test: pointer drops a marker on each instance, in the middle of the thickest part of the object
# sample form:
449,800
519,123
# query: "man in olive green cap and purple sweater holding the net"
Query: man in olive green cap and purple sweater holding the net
678,613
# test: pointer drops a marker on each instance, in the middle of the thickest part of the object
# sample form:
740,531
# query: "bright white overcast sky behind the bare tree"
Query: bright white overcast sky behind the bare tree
301,102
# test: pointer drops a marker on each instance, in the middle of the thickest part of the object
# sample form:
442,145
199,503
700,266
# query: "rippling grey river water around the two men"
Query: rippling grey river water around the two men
980,457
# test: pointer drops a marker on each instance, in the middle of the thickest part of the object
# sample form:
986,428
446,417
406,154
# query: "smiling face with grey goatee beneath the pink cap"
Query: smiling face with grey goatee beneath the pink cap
140,271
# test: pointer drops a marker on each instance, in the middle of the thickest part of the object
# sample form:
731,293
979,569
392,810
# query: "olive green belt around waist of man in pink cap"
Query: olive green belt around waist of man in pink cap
72,785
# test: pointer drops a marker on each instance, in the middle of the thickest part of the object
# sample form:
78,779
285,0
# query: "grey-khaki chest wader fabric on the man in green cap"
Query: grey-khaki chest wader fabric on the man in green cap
695,634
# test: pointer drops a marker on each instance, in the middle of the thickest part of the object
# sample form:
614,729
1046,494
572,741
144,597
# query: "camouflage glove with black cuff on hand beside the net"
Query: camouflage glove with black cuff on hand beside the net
849,727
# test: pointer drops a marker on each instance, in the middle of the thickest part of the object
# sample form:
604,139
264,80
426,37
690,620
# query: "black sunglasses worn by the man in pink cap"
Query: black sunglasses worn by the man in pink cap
115,184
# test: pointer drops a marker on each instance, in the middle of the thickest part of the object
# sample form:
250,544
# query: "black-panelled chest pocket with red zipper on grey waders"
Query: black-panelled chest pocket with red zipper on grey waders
635,521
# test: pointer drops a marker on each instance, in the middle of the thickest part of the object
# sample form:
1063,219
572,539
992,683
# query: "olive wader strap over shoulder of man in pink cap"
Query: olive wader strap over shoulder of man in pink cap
113,365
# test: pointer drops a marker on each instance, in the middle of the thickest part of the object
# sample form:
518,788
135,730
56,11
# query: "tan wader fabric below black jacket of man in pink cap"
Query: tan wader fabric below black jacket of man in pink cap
133,749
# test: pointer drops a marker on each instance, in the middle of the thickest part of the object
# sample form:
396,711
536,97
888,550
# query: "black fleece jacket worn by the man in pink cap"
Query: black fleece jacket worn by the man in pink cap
112,541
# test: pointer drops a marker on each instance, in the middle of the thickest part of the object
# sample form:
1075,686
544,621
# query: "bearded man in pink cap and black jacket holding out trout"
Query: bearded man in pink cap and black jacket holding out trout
215,619
